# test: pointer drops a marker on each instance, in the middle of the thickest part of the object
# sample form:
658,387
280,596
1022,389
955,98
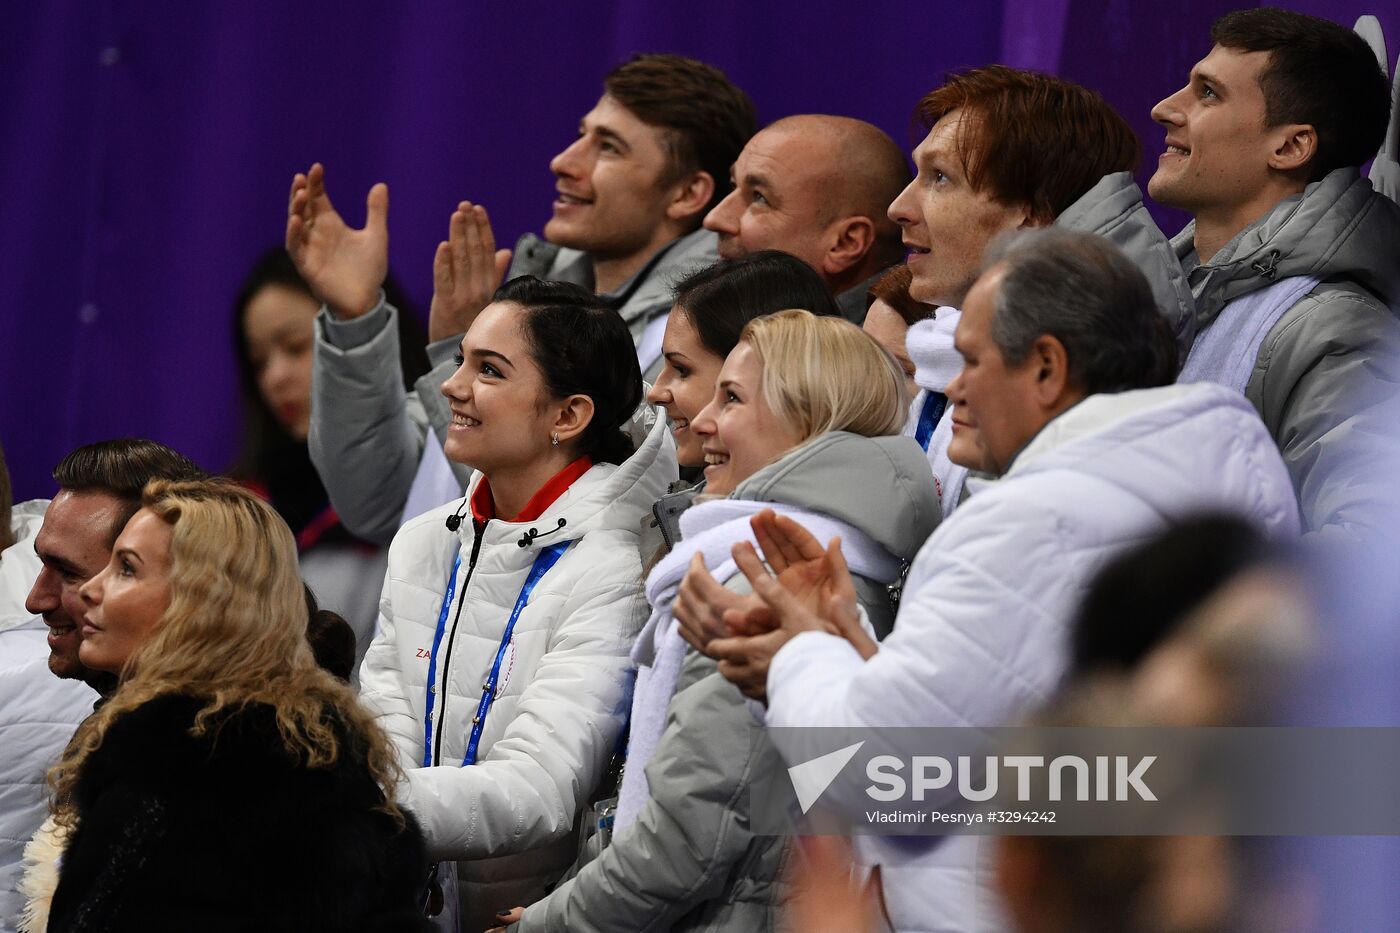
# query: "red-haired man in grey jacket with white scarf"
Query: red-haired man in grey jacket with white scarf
1009,151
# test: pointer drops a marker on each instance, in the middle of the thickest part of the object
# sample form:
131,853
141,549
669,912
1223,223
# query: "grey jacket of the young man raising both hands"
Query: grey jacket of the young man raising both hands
367,435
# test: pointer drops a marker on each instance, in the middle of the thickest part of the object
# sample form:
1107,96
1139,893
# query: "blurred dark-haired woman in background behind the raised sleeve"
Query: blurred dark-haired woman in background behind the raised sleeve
274,331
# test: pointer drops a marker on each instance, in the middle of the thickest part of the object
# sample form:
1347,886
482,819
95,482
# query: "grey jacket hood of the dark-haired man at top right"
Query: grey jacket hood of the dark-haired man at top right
1336,229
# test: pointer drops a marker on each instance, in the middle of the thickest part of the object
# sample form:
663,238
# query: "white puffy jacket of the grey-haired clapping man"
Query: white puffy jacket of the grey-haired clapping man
982,634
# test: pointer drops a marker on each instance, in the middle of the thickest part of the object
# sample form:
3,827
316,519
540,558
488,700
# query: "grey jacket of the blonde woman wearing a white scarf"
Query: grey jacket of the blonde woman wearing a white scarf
691,861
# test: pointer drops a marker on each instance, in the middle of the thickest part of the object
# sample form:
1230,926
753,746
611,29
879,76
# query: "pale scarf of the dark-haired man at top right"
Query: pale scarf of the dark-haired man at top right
1226,352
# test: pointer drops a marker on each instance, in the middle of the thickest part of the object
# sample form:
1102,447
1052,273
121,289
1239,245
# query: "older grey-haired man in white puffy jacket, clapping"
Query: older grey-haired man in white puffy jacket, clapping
1063,397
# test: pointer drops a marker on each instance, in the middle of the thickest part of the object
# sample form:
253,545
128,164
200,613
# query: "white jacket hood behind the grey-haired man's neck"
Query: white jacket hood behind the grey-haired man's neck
1158,445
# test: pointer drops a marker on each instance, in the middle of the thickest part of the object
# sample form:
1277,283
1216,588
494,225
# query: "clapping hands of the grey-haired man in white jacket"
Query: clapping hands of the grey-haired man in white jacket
803,589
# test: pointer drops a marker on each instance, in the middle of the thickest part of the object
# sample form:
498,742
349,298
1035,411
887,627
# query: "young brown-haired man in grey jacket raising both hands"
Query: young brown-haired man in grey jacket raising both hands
650,160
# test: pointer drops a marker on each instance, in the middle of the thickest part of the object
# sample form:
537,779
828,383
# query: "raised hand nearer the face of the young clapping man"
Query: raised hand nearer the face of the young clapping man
467,271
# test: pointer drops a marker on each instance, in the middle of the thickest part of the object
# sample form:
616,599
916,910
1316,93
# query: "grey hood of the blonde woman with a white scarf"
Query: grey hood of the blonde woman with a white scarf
881,485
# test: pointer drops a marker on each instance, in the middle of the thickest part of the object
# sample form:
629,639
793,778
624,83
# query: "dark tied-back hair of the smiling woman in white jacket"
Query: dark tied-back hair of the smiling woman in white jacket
583,348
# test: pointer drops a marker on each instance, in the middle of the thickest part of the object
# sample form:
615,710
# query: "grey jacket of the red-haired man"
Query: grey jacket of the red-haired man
1114,209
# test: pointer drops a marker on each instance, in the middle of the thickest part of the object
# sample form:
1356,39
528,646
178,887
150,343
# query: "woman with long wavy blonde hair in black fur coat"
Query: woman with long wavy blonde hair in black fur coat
229,784
